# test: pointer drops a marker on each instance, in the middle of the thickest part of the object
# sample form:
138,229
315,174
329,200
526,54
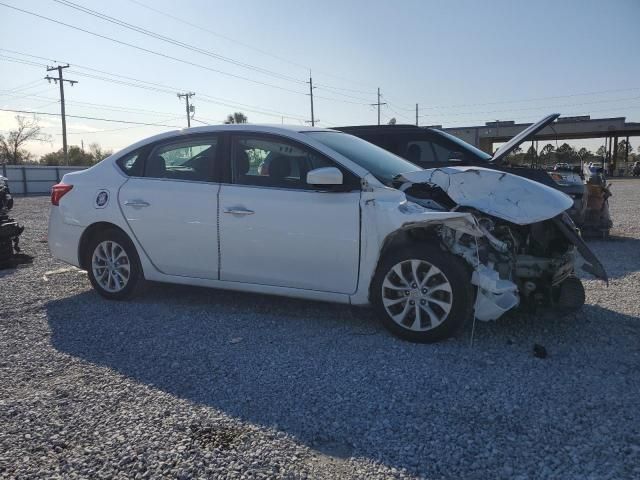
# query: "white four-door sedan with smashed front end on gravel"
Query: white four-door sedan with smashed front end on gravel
332,218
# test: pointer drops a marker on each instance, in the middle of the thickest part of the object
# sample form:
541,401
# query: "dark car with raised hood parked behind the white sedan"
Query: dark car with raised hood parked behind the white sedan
430,147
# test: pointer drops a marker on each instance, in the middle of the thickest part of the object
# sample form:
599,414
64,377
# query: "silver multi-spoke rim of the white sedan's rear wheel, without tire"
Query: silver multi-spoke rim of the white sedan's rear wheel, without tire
110,265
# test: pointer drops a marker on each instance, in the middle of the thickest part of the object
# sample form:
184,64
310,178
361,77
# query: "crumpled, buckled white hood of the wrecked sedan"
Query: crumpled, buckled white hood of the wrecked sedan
500,194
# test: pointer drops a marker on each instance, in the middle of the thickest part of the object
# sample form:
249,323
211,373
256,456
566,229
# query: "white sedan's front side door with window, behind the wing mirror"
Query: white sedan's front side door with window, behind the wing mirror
277,230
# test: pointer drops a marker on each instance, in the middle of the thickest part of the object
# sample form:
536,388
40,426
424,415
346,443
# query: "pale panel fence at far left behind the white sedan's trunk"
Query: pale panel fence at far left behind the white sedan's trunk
34,179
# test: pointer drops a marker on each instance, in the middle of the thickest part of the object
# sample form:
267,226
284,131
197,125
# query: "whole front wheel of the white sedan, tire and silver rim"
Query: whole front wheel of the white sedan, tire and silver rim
422,296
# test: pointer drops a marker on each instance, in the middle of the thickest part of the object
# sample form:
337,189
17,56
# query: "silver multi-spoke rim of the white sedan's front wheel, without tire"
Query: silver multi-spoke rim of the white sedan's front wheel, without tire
417,295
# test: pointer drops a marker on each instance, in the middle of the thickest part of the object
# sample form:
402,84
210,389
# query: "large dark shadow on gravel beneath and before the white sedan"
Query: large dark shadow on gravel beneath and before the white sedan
336,381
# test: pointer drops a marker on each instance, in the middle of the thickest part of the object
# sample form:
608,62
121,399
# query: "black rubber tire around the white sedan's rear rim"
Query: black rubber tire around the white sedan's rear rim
135,279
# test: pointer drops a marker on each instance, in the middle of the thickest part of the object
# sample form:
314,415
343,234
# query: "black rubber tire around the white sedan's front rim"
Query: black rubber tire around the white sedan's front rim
458,276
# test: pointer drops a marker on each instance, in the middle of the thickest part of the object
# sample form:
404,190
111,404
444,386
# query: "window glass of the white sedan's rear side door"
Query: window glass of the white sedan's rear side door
190,160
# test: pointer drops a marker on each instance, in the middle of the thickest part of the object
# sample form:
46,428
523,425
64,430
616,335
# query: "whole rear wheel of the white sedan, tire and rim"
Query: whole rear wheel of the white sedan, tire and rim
113,265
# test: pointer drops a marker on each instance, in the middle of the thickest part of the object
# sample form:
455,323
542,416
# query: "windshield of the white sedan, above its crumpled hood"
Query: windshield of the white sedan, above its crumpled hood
380,163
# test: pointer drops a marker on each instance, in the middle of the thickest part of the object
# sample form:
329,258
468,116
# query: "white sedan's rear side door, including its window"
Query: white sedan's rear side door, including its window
172,206
